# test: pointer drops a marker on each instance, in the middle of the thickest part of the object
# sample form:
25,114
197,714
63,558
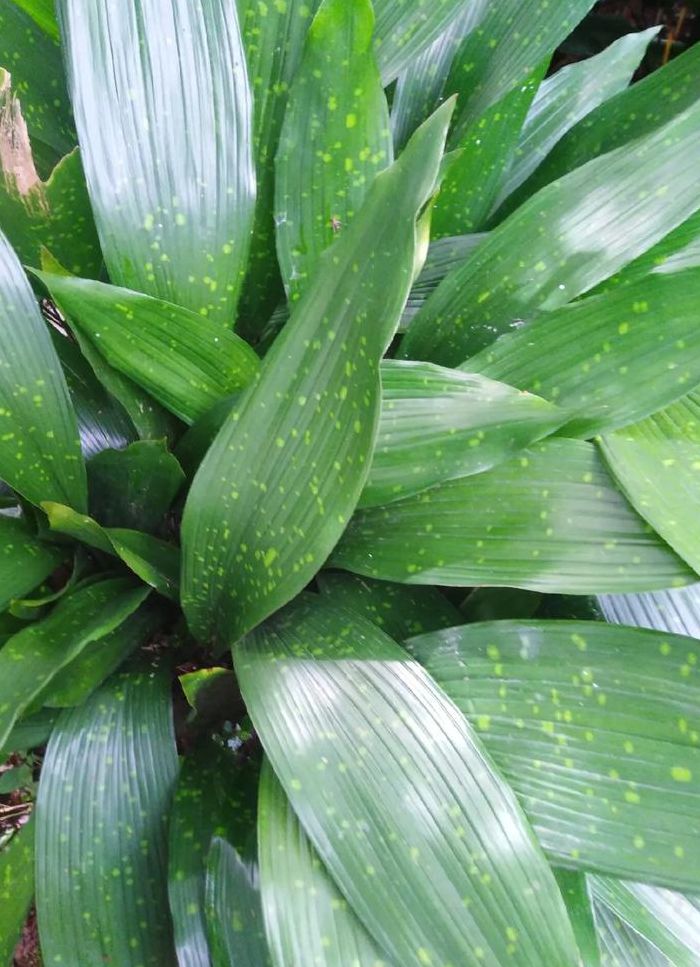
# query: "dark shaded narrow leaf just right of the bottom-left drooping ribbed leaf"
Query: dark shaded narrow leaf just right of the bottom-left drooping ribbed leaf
212,798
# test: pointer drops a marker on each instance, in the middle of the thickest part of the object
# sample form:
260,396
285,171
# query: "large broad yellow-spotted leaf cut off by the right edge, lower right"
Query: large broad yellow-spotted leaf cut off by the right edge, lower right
595,727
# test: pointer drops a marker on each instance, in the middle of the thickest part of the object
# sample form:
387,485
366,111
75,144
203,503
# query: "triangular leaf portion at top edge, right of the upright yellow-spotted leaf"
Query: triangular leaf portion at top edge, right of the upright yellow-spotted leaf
406,27
